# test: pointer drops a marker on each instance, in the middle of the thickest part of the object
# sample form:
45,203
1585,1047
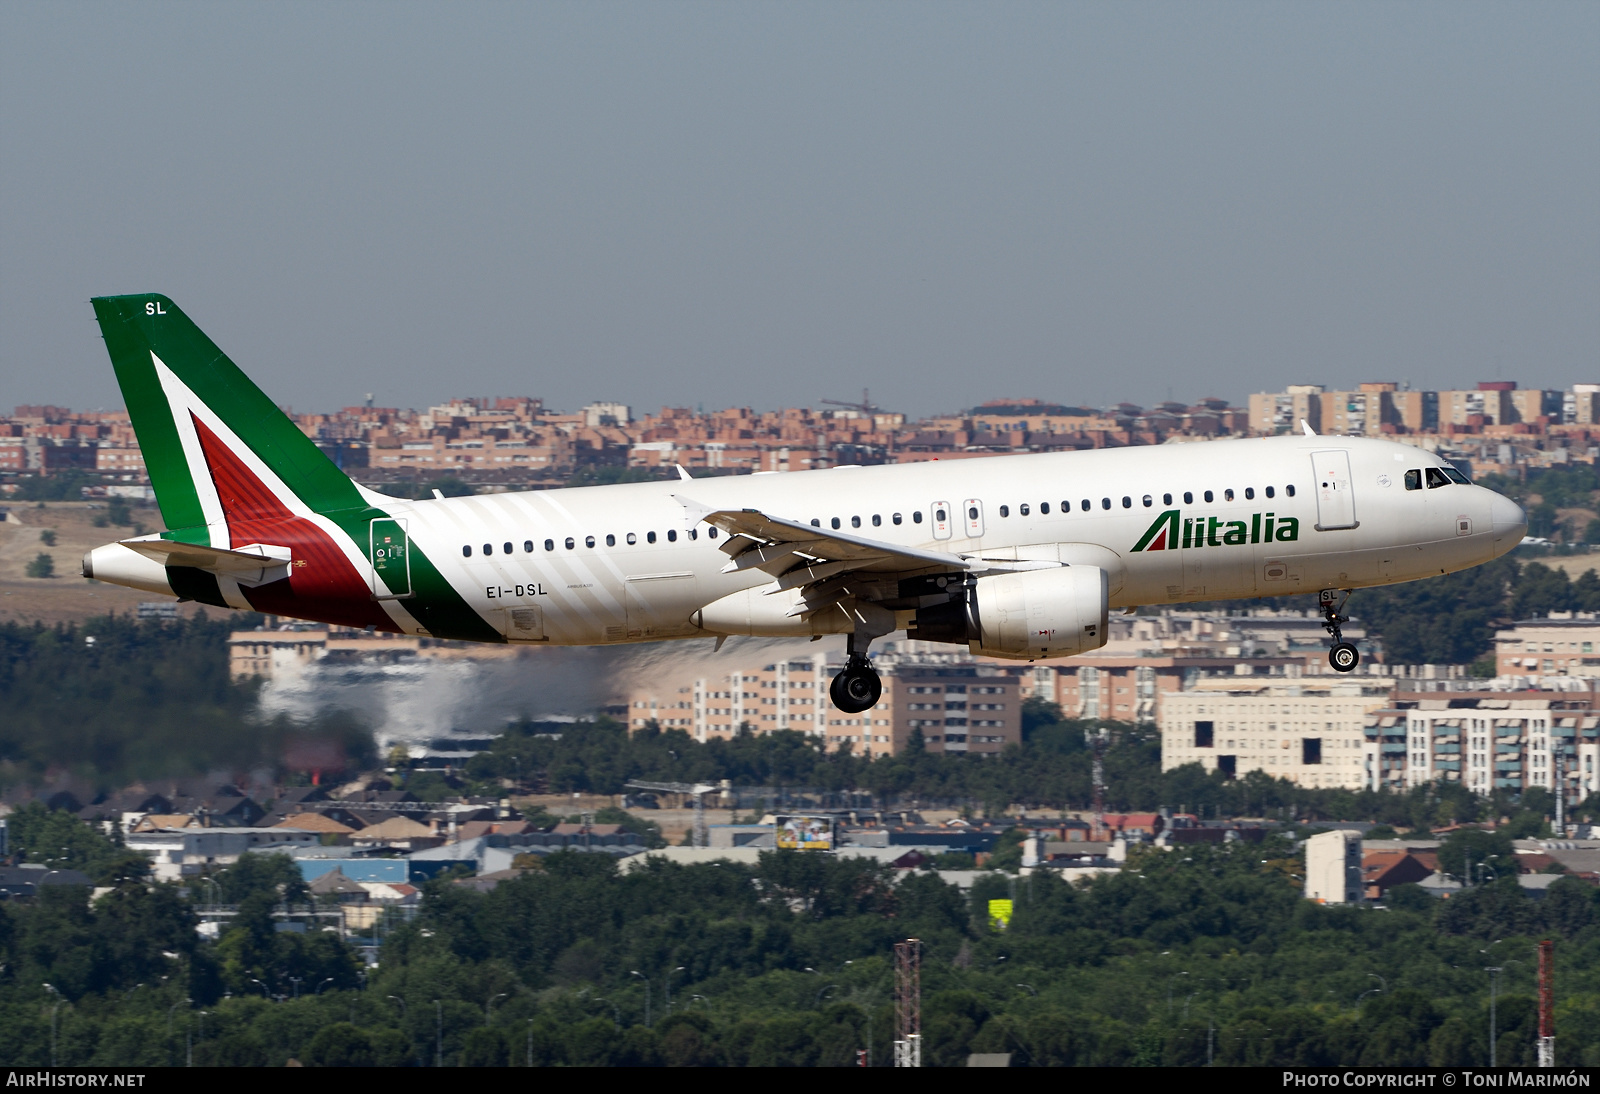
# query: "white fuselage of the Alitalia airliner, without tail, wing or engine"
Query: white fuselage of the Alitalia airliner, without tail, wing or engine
649,591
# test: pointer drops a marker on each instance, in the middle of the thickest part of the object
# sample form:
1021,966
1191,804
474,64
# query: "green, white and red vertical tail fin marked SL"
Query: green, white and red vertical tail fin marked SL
217,449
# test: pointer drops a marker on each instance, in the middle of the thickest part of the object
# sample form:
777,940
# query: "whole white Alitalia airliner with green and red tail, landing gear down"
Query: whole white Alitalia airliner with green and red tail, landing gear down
1012,557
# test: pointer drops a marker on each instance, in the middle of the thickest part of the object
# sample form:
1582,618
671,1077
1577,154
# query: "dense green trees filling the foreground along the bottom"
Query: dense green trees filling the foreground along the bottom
1188,956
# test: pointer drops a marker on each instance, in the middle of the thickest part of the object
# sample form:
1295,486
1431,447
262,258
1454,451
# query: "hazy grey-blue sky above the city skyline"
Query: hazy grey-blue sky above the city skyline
761,204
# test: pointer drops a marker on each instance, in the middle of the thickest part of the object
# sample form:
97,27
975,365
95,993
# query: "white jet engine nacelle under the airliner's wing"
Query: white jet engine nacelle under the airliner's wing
1025,617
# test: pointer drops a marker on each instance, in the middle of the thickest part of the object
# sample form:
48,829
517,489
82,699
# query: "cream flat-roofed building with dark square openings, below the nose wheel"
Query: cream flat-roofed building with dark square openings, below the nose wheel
1310,733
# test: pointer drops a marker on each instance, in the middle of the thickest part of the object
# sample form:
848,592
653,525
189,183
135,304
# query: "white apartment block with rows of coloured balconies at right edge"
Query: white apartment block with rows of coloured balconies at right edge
1487,741
